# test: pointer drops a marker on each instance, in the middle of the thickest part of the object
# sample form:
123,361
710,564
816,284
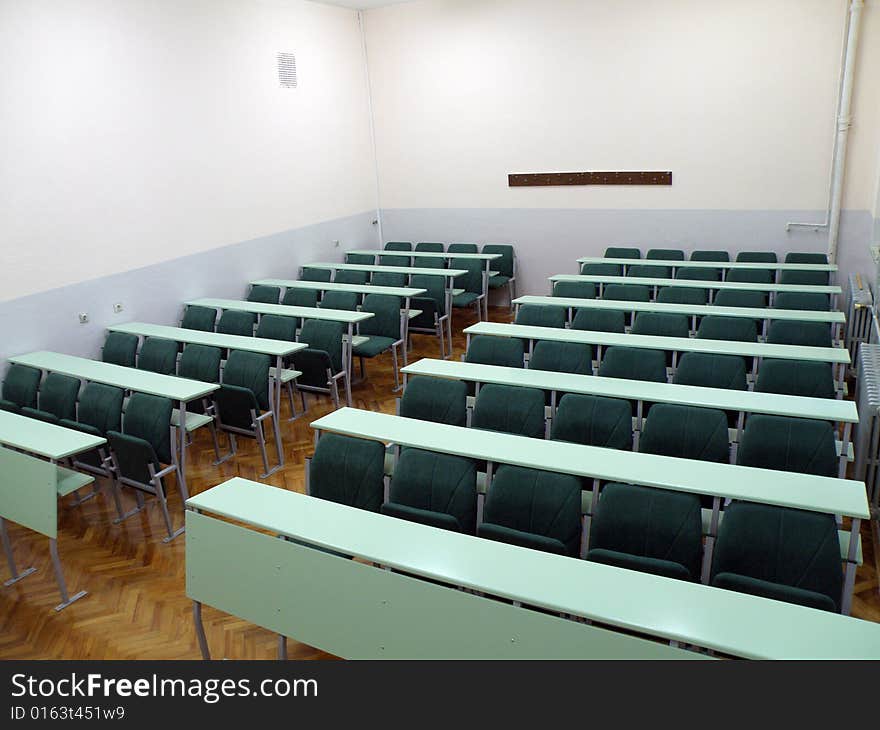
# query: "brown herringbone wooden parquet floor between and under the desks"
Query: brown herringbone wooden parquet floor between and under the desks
137,606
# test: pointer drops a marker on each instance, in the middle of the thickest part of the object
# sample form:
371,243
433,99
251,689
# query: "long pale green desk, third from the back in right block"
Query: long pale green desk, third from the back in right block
835,319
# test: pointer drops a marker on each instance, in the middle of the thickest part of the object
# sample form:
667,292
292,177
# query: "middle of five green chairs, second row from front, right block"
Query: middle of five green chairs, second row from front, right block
593,421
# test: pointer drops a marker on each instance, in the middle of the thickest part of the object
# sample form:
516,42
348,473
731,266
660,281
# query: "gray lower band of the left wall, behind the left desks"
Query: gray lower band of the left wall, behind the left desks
49,320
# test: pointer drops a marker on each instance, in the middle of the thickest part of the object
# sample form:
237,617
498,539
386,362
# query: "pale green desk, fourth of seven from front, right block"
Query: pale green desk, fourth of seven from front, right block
837,356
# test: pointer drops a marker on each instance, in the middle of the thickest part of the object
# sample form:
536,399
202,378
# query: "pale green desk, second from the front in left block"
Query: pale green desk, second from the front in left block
177,389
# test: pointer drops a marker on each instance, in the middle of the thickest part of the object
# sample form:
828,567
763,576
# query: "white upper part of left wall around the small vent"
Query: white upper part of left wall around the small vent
140,131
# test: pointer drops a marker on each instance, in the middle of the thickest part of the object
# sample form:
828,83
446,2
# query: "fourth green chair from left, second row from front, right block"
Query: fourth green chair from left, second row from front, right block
686,432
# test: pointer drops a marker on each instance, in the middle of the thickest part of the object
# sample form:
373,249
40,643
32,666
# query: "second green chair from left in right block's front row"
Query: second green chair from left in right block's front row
439,490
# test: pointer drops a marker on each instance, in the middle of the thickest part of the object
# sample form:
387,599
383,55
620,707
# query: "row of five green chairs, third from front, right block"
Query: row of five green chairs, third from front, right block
785,377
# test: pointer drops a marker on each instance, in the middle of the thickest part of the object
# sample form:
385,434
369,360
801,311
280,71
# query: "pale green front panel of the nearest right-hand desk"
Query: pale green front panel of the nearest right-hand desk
358,611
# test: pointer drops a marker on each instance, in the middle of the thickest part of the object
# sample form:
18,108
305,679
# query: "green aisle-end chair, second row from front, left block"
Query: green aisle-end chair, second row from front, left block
242,402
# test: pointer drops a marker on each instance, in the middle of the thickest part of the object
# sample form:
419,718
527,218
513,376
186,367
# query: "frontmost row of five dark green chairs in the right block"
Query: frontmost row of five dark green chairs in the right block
763,550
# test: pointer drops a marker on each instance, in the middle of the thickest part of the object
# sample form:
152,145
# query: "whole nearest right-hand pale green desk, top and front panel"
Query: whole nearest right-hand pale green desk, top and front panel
244,572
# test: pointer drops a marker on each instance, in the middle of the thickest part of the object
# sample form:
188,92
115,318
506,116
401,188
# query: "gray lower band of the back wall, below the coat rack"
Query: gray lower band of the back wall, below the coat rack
548,241
